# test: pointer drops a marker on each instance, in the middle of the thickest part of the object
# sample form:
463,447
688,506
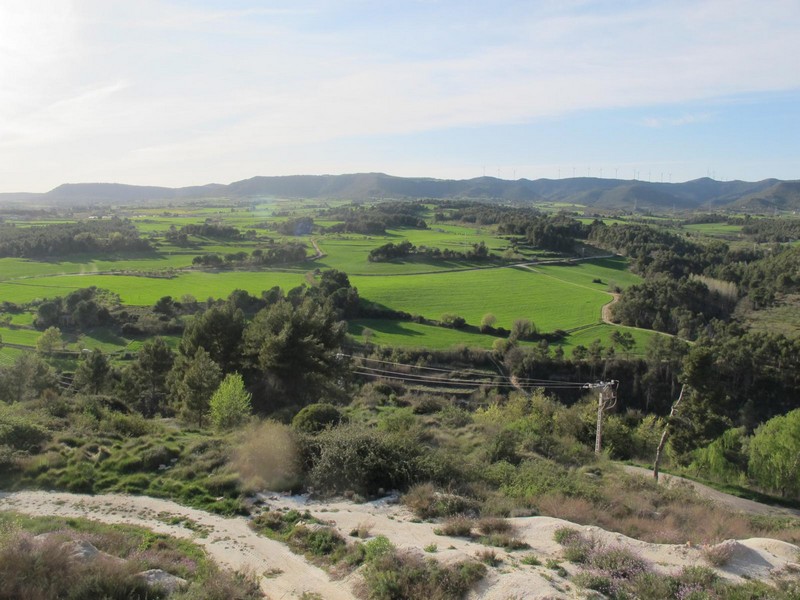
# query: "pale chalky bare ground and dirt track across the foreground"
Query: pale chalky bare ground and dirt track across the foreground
286,575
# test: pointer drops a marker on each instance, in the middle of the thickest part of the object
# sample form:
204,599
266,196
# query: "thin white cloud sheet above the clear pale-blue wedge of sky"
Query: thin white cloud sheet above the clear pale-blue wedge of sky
117,87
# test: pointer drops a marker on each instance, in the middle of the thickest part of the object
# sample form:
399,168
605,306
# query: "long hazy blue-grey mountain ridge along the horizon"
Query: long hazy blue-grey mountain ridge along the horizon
610,194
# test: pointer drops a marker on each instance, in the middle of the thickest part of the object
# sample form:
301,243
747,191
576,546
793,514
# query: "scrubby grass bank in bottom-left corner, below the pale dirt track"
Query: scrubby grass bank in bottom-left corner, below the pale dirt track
35,562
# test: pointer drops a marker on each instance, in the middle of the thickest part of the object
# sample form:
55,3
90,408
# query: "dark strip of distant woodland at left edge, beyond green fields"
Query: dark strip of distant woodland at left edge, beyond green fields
60,239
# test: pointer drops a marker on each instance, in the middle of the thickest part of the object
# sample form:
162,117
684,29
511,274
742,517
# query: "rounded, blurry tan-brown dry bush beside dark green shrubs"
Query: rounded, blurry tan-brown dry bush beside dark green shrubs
267,457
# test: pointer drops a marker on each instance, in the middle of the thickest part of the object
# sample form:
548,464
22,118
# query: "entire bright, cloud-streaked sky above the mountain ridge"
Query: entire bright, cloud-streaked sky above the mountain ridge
176,93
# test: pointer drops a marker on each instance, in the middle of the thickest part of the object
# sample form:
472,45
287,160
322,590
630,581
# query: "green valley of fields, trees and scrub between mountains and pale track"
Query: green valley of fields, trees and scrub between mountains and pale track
264,349
